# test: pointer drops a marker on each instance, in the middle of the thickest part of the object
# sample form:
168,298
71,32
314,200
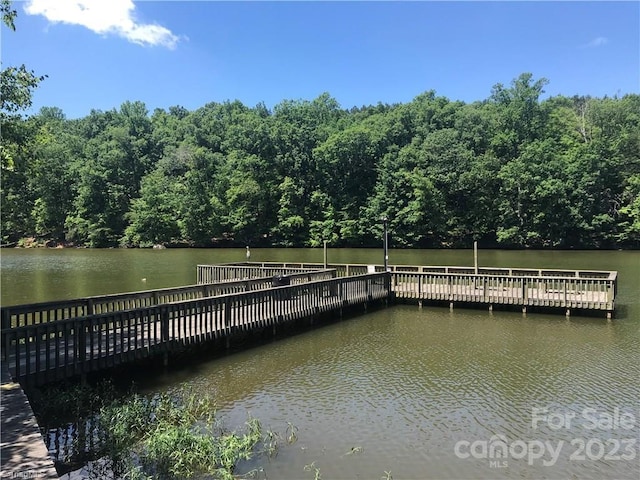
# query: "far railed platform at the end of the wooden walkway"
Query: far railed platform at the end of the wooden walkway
560,290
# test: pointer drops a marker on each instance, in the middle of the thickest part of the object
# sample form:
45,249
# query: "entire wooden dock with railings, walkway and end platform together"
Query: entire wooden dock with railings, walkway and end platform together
55,340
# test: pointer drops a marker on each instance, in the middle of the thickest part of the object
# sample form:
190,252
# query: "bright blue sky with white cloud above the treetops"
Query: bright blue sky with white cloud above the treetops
104,52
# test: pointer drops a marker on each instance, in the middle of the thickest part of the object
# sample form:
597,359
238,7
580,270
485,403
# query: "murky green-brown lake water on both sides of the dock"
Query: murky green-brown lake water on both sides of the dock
419,393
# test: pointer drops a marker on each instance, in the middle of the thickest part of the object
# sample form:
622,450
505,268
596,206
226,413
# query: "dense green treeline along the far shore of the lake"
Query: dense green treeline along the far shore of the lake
510,171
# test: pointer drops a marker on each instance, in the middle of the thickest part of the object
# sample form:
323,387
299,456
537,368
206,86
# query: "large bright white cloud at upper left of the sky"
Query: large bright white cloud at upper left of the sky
103,17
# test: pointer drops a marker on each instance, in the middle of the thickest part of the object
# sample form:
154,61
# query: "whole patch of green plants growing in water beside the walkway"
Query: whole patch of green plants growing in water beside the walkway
175,435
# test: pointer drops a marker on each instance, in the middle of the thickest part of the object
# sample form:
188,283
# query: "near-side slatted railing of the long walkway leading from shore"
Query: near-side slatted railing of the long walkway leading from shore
52,351
